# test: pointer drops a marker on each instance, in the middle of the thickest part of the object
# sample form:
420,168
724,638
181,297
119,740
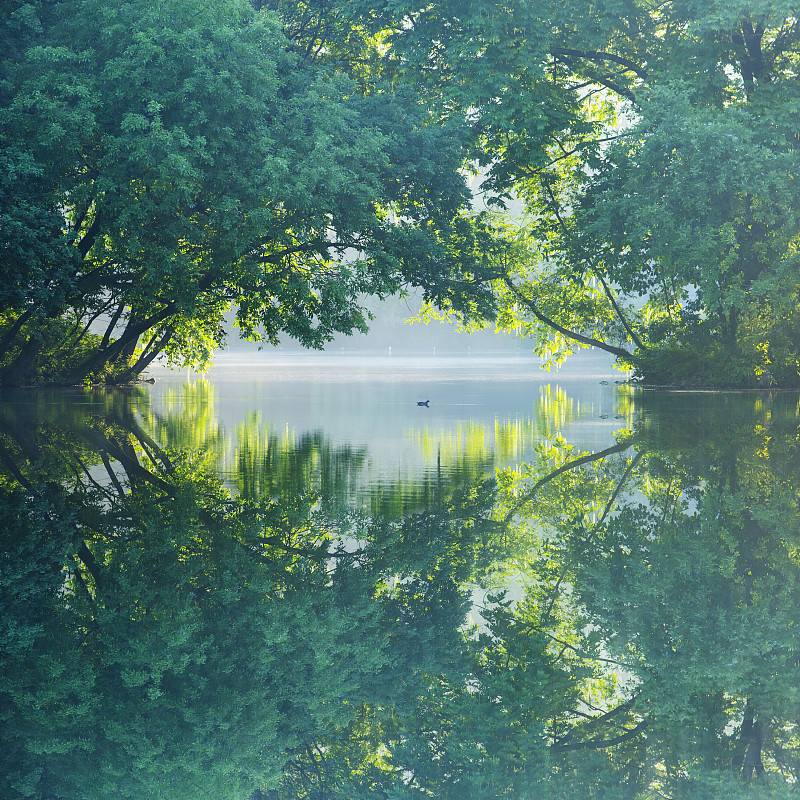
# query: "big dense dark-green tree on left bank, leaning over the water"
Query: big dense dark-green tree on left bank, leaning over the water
162,162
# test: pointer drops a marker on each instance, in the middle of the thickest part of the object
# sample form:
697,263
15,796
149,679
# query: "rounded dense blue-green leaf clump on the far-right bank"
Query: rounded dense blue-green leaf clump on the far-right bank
697,213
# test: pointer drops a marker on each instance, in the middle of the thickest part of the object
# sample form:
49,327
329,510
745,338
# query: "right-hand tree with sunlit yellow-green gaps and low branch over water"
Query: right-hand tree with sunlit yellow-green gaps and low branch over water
655,152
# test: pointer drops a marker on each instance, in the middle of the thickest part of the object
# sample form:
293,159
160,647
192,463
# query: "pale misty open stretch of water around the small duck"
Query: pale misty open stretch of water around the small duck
371,401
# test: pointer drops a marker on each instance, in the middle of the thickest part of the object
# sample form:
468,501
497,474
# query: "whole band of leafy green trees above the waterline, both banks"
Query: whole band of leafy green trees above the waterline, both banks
165,161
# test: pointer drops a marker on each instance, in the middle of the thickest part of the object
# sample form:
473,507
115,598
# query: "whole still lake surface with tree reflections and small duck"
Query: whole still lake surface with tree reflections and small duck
288,579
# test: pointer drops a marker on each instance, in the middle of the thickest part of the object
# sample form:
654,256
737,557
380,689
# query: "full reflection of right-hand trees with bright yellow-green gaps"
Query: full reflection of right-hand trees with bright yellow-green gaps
653,650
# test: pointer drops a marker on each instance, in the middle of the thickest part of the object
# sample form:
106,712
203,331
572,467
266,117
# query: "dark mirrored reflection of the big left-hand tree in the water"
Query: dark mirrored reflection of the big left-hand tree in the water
164,638
